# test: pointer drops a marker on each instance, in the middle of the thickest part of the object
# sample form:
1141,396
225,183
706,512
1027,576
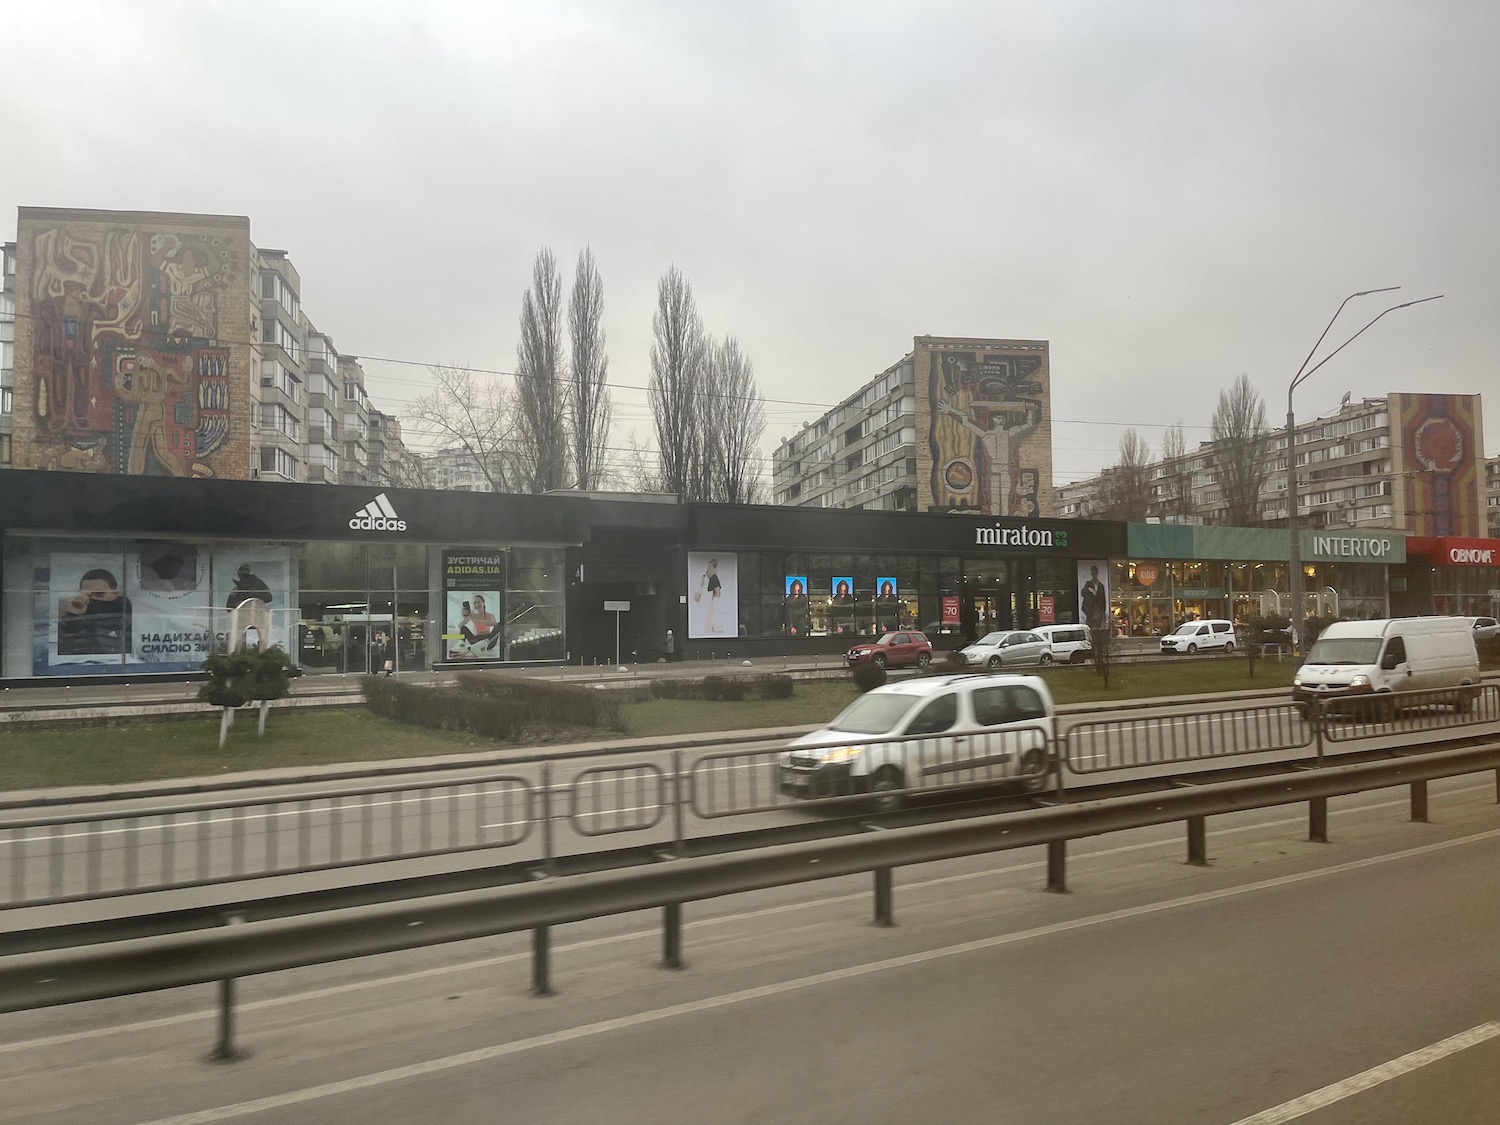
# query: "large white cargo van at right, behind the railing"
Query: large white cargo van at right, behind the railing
1379,658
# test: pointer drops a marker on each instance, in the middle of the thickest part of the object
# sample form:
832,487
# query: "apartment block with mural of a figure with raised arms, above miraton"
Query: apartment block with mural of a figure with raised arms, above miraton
958,425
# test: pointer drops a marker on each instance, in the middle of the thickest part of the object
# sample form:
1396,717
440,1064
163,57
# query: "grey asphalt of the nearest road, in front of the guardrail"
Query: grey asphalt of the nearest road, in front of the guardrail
1361,973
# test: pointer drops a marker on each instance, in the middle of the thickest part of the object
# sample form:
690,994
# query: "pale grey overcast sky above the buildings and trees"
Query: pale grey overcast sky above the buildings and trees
1171,193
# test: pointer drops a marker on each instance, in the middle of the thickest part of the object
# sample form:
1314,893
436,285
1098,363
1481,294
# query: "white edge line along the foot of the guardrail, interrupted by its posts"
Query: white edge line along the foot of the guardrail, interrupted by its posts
655,935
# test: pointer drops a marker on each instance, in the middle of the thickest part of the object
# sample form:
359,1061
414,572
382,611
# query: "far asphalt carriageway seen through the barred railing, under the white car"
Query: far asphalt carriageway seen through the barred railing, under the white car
599,803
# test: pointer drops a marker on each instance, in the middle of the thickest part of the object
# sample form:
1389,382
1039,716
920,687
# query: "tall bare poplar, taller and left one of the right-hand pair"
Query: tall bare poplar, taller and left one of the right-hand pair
677,374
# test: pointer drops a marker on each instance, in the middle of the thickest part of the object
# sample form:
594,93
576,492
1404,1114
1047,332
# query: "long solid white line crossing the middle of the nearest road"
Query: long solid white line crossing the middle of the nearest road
500,1051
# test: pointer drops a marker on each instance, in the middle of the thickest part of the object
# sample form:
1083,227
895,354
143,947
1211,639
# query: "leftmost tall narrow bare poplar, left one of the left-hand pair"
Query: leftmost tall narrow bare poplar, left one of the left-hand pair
541,394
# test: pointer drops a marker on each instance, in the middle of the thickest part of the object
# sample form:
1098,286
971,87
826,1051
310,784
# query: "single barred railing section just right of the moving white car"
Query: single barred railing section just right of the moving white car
1105,745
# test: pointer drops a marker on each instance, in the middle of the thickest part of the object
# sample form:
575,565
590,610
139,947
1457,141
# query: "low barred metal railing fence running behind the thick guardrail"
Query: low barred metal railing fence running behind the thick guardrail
70,857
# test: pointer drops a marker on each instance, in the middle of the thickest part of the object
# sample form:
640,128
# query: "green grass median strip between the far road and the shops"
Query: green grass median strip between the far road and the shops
145,751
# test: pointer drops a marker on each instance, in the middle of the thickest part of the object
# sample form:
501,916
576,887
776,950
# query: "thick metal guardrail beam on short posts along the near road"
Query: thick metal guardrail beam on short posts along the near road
142,965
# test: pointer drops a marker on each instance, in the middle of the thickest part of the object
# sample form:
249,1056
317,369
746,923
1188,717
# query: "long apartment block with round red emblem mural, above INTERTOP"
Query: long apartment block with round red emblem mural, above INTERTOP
1412,463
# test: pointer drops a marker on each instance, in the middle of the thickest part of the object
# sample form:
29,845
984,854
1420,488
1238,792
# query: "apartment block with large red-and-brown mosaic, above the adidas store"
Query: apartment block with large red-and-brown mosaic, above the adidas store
169,344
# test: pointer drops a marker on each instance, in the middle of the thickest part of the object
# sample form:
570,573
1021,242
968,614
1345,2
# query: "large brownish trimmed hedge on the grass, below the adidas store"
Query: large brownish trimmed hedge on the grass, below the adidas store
506,709
